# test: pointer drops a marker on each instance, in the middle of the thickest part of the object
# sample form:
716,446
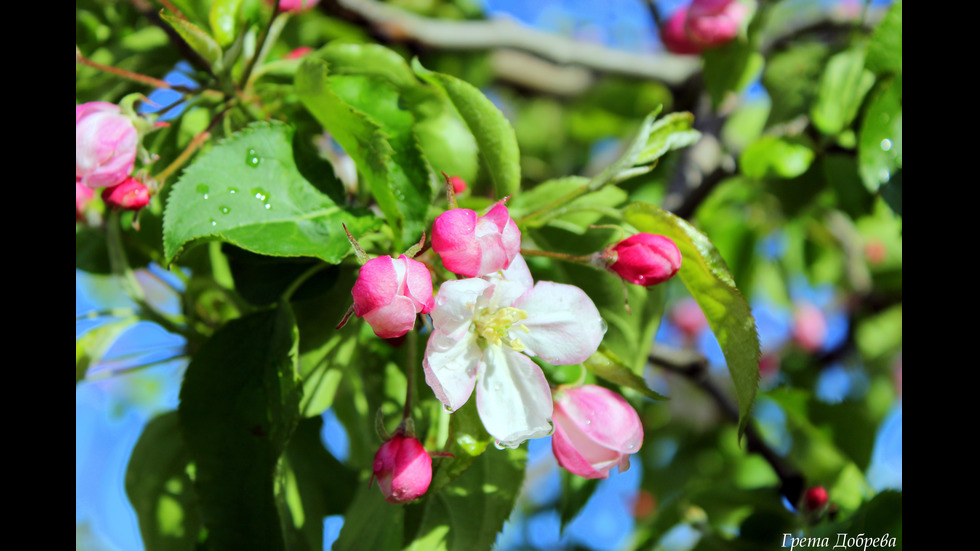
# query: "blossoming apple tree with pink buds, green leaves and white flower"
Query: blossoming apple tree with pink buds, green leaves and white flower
357,227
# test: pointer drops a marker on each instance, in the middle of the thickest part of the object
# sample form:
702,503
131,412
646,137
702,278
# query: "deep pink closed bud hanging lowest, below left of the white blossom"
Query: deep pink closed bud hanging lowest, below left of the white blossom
403,469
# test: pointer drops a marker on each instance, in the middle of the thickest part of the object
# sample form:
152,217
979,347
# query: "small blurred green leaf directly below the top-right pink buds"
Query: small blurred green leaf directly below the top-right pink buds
730,69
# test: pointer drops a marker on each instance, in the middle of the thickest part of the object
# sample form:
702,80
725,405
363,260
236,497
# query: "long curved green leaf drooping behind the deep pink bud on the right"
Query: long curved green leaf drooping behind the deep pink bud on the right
709,281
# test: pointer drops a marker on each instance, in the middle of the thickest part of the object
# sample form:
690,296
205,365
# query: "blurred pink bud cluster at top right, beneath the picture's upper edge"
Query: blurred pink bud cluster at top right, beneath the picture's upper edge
704,24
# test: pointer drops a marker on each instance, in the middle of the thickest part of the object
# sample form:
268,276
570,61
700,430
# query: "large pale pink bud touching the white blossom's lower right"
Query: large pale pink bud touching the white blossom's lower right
595,430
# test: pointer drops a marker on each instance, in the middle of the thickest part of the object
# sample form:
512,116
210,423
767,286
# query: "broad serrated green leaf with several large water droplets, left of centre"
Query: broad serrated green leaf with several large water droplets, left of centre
250,192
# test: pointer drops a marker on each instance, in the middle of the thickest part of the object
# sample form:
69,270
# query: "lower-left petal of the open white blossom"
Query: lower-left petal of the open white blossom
450,367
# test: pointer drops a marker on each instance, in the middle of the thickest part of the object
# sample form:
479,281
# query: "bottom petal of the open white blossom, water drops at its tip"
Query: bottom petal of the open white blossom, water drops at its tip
512,397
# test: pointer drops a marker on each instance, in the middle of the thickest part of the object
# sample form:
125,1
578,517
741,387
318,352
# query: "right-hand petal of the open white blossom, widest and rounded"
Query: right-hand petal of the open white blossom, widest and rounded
563,324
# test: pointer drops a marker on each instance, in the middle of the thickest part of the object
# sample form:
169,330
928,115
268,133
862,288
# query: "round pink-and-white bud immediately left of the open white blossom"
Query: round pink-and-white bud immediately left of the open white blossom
389,292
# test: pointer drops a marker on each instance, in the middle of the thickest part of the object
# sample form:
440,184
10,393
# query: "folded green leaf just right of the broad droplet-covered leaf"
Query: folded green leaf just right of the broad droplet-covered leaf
385,149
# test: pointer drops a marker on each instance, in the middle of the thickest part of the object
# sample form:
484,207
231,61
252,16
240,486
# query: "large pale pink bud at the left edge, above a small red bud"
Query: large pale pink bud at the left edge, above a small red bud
105,144
